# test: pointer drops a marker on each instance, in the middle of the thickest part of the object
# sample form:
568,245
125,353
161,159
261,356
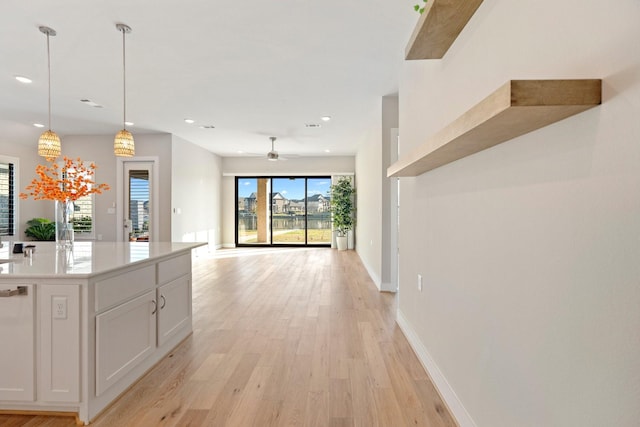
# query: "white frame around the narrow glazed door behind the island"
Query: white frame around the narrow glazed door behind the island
155,194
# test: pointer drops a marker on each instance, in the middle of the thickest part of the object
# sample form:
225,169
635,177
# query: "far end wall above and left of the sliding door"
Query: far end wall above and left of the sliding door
258,166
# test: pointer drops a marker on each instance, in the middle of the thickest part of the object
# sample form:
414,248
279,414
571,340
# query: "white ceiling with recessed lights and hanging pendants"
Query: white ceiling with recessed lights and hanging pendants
252,70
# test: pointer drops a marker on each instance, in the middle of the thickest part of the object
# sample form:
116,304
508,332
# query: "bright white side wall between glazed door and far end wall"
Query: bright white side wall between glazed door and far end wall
196,212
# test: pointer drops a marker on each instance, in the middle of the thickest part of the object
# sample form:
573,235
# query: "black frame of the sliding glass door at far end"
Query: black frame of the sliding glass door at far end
270,242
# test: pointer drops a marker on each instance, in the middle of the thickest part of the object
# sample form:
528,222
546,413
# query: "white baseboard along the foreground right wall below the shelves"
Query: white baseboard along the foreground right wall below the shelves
437,377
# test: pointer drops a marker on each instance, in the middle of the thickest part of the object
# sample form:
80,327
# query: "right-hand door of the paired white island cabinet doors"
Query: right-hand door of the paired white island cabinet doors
174,300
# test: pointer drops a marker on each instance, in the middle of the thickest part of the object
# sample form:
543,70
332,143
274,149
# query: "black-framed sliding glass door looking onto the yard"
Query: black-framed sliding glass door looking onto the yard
285,211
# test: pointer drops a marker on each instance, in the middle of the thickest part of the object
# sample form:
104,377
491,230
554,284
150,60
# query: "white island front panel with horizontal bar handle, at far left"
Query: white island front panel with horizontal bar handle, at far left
16,327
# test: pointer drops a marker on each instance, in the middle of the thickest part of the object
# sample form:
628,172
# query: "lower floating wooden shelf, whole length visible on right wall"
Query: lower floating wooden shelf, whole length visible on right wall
518,107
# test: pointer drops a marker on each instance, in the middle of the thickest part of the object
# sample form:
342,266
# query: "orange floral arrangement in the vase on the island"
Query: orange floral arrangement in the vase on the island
69,181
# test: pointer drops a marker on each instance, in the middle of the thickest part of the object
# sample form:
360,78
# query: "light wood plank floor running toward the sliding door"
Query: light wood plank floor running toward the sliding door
288,337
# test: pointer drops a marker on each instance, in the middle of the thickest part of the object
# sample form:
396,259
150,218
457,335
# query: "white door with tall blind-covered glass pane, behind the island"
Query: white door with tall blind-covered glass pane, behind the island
138,191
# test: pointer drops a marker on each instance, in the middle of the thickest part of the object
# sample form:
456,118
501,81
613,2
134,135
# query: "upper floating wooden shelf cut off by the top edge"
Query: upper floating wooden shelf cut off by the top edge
438,27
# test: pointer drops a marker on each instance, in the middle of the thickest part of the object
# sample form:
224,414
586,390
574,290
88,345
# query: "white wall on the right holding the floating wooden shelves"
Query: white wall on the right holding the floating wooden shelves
529,250
